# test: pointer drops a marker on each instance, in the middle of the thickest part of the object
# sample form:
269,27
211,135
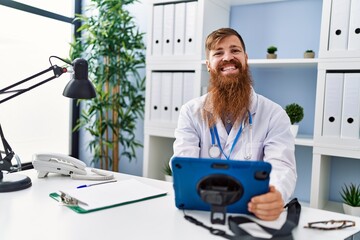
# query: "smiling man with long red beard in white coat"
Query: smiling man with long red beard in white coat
247,125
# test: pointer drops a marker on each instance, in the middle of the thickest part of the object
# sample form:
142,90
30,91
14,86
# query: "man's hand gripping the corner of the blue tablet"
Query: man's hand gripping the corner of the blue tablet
267,206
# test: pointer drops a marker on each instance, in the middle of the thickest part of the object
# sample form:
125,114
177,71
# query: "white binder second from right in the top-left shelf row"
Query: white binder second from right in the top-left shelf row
179,31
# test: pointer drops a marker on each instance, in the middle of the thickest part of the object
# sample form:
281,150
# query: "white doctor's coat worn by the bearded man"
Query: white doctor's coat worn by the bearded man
272,140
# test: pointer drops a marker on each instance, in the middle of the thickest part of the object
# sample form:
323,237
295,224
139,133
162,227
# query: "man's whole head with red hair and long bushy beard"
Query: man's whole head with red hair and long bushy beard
230,83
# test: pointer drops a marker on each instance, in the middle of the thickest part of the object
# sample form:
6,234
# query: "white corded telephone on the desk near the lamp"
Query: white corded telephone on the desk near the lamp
46,163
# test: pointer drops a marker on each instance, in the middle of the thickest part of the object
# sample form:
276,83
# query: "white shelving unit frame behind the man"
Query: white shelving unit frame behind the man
159,135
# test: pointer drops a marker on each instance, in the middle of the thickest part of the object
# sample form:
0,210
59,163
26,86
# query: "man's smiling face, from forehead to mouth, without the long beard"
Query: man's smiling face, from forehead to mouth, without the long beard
227,56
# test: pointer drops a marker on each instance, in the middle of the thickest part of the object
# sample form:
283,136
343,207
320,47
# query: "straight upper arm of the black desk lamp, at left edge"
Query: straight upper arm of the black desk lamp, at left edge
57,73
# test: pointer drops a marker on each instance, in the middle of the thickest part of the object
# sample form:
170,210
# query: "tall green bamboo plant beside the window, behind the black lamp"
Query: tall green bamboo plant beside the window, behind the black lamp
116,50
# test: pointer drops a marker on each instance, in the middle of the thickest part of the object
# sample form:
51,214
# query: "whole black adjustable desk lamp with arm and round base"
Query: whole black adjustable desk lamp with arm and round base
79,87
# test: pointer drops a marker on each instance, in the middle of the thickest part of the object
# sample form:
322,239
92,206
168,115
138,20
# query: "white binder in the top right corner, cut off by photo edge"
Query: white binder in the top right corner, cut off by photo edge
354,26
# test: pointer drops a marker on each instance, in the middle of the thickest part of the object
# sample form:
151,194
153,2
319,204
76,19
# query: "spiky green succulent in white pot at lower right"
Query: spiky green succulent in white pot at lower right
350,195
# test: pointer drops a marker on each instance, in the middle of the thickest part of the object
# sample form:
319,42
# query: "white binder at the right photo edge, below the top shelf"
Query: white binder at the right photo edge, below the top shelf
350,123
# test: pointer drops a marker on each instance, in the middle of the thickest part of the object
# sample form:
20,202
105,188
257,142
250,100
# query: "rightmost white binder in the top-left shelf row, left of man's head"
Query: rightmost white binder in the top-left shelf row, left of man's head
190,27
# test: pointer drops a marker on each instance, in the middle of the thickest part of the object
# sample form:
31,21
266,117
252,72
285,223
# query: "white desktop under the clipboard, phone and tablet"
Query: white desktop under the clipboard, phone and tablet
31,214
